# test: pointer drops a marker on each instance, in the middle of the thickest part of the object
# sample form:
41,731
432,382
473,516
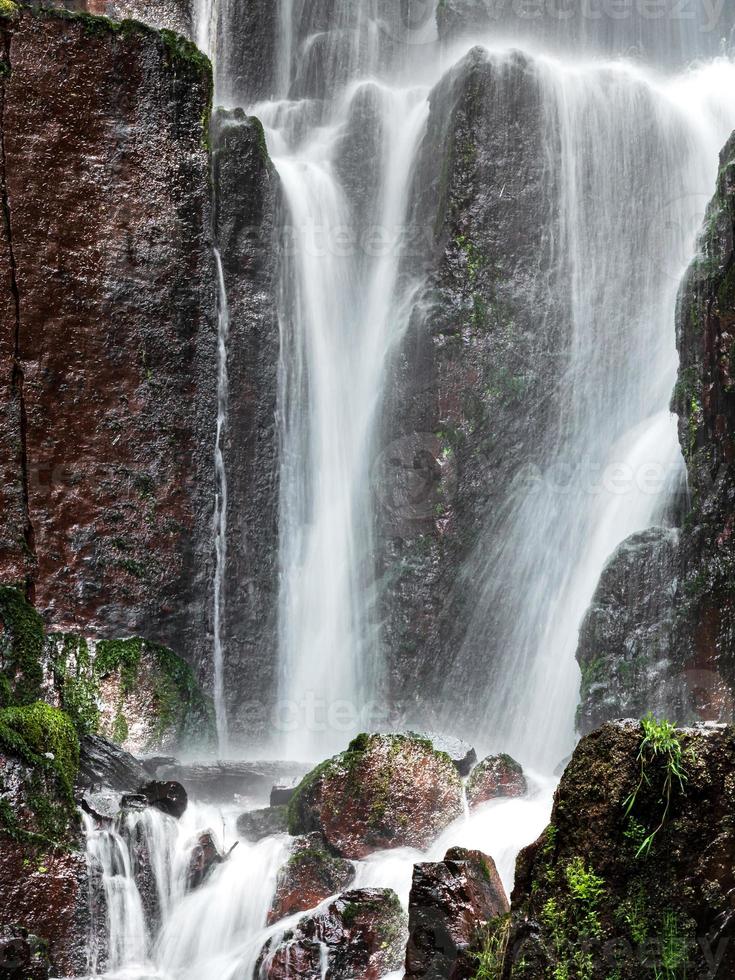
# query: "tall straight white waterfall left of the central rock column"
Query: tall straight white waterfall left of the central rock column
342,310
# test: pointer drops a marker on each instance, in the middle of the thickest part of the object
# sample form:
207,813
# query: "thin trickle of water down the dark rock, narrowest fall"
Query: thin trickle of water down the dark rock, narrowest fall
220,508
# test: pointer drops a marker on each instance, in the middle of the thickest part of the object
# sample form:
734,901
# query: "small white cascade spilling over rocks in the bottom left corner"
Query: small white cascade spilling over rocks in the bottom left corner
157,927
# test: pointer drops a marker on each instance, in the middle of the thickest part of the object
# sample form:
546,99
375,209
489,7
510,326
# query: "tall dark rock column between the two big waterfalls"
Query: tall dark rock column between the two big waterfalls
474,387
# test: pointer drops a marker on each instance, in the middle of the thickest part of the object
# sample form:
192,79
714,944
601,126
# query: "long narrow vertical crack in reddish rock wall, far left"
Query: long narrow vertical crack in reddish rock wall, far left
17,372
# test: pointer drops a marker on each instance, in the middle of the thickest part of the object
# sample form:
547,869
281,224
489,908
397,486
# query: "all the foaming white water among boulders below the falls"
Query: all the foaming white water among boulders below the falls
217,931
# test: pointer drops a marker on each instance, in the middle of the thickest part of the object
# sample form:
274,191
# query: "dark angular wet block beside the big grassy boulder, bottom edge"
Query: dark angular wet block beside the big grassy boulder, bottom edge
451,902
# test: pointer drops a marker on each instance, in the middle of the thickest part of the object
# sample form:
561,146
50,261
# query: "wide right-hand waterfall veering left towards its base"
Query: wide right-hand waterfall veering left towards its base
639,158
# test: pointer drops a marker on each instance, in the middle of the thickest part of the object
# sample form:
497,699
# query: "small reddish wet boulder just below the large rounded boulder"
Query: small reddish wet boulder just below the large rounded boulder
310,875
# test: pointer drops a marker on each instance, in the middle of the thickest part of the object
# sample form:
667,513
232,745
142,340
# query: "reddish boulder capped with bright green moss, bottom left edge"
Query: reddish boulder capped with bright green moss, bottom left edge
43,870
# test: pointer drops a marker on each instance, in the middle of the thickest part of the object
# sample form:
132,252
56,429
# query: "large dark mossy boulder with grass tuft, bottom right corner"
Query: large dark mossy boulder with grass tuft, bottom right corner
584,889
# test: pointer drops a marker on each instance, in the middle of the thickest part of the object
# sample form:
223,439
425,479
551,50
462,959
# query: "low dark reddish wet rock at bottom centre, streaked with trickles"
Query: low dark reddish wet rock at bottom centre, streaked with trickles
361,934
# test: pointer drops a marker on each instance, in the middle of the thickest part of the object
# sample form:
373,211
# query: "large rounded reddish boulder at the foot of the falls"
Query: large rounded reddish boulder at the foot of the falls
385,791
